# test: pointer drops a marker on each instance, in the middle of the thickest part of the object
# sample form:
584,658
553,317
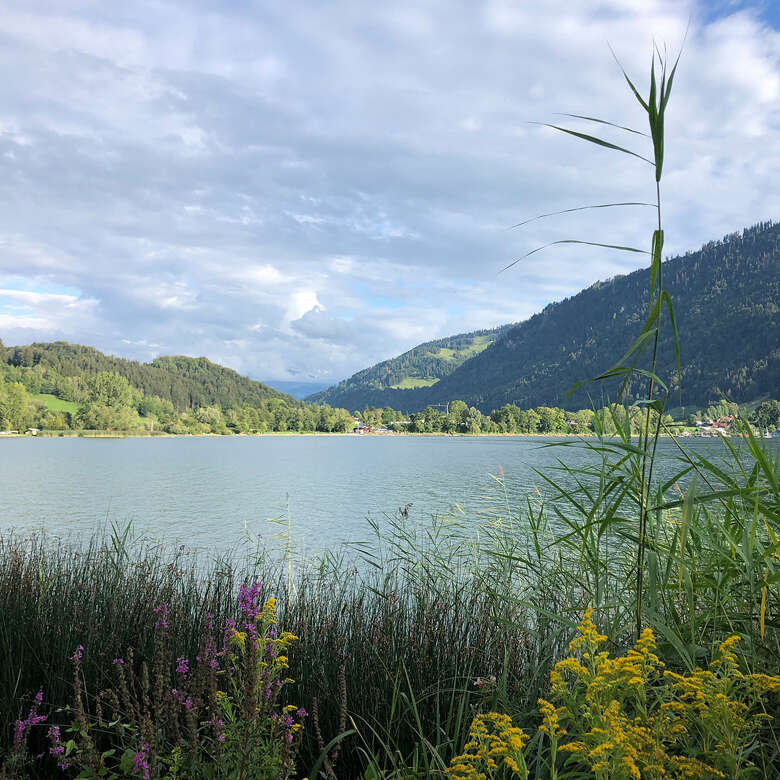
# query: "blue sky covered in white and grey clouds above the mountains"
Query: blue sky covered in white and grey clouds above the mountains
301,189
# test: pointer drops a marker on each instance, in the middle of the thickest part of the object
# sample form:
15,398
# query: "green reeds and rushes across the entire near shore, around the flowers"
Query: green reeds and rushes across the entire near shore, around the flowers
400,644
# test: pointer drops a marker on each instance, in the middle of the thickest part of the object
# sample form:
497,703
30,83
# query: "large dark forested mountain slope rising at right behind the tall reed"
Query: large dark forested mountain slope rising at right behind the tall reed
725,297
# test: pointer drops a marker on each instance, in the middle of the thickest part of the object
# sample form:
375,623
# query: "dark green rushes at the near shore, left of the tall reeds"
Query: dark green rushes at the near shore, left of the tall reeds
391,643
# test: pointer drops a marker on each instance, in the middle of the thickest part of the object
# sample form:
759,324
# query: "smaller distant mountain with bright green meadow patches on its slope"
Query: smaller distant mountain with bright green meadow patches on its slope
420,367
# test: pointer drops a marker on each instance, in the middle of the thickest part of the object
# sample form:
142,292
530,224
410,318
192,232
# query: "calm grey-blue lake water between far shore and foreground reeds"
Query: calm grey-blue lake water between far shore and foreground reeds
207,492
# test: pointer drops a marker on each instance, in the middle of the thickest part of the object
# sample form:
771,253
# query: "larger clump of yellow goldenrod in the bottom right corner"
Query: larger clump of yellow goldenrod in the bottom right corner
645,722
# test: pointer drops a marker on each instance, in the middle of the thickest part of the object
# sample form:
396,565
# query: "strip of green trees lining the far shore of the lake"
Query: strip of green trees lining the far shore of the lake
109,404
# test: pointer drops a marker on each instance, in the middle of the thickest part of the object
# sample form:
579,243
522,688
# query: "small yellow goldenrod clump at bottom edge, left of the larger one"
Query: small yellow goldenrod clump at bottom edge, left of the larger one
495,748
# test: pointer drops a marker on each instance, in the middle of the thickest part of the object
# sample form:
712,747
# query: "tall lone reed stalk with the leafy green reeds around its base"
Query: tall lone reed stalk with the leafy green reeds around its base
703,561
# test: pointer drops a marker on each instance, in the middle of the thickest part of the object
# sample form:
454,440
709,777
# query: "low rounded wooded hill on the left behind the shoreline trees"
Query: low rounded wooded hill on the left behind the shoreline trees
186,382
